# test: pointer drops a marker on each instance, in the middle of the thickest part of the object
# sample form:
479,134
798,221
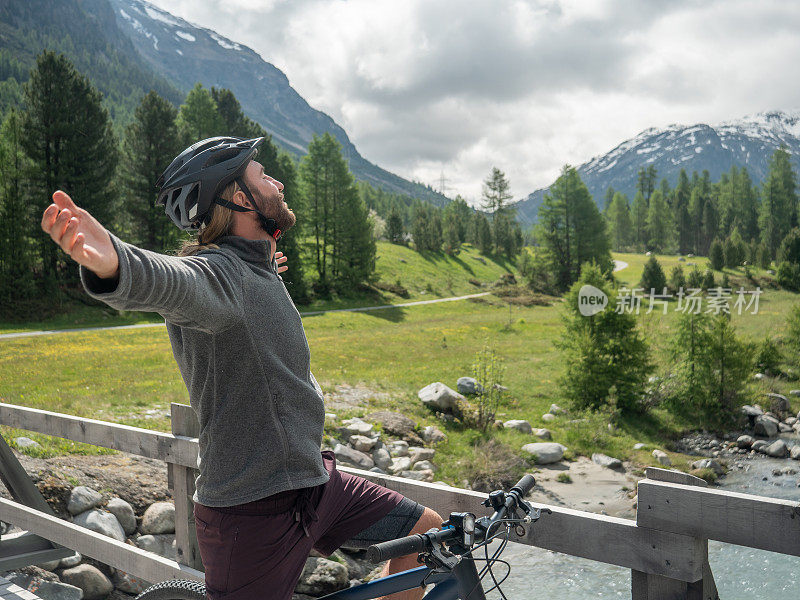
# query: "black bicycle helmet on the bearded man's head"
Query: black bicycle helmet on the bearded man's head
191,183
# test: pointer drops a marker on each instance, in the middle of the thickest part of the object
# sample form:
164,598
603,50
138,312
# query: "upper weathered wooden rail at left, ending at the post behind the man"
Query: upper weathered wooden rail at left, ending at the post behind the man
180,450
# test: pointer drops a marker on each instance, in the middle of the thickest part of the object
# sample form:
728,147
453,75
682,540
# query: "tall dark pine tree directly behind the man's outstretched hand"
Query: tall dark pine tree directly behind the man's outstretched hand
68,136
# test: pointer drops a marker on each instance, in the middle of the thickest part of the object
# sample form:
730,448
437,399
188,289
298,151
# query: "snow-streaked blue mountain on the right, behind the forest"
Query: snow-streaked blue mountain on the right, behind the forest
746,142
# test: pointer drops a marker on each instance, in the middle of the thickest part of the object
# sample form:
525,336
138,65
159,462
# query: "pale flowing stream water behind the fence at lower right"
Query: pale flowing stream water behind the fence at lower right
740,573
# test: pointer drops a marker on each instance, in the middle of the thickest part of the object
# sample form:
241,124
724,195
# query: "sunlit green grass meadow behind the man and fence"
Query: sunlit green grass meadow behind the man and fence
120,375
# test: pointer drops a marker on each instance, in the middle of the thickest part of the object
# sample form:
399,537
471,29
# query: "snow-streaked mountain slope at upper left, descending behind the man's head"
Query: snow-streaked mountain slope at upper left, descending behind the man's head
186,54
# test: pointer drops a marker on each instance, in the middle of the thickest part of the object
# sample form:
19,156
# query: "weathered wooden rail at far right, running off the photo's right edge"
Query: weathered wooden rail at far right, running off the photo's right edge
744,519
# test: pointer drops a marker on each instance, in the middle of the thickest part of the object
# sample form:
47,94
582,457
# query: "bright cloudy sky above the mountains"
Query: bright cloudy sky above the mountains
425,87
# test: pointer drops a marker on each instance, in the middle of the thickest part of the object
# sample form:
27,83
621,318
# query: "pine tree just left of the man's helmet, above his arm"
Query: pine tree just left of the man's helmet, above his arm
151,142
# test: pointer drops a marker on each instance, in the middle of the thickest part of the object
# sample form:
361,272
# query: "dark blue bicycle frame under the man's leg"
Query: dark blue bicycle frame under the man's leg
462,583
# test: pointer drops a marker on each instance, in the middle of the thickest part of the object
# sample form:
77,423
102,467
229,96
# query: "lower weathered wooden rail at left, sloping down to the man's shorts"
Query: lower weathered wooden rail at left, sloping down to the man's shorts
133,560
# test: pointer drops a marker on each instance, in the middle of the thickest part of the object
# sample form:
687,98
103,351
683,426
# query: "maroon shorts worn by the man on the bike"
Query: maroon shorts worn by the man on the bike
258,550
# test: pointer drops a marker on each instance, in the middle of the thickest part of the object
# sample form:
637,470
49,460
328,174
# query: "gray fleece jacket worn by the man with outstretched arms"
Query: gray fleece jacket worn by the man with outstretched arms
242,351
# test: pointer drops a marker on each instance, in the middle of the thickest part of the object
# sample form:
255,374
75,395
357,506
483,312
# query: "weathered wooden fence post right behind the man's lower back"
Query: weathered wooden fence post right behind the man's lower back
181,480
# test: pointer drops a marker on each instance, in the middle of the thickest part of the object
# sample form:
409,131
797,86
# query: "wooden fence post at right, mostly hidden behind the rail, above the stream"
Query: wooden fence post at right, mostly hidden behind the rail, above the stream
657,587
